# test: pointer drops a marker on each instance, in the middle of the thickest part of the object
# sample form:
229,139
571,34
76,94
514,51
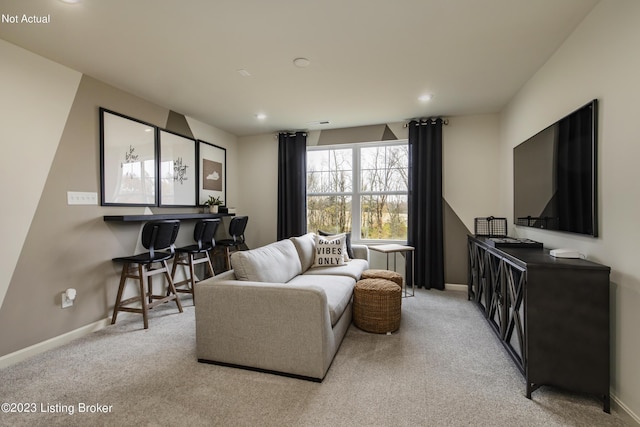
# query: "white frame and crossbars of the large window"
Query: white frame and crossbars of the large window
356,193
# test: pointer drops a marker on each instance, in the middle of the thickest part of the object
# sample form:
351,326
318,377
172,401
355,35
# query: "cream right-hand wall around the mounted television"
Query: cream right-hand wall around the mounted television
599,60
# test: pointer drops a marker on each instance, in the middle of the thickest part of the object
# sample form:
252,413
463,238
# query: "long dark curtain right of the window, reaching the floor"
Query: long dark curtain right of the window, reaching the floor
425,228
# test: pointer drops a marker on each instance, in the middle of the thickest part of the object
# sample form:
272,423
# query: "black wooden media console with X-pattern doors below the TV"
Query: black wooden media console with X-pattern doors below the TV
551,314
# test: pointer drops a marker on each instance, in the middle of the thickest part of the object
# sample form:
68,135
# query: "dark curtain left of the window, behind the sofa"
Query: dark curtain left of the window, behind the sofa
292,184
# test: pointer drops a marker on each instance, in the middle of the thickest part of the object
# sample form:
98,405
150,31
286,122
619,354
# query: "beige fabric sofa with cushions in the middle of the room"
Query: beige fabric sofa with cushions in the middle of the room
274,312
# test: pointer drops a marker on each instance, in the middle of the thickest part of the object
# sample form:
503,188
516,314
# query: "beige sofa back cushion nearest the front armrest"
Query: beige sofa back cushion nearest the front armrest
276,262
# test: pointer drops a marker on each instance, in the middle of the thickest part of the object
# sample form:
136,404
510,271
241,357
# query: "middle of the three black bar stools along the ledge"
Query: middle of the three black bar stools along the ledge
192,255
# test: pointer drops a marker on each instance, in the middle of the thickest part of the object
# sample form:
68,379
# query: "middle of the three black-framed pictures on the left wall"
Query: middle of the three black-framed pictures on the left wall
178,173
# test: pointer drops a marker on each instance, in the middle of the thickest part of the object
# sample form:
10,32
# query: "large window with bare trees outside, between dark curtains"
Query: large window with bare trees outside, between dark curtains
360,188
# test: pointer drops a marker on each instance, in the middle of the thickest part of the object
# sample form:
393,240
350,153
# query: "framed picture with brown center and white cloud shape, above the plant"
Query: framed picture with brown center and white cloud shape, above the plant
212,162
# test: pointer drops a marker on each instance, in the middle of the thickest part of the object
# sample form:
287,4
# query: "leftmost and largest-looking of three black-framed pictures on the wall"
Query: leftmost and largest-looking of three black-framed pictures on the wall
128,167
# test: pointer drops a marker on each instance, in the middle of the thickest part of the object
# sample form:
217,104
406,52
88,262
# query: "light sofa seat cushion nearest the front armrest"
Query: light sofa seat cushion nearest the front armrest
338,290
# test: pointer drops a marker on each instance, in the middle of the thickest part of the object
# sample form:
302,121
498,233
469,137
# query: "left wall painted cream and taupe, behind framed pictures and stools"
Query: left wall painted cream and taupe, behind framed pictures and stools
51,246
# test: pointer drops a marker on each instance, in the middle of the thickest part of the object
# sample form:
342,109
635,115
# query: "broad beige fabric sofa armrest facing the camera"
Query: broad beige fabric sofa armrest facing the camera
267,326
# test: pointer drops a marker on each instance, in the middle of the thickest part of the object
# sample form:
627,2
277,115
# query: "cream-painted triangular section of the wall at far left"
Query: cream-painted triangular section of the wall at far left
29,141
